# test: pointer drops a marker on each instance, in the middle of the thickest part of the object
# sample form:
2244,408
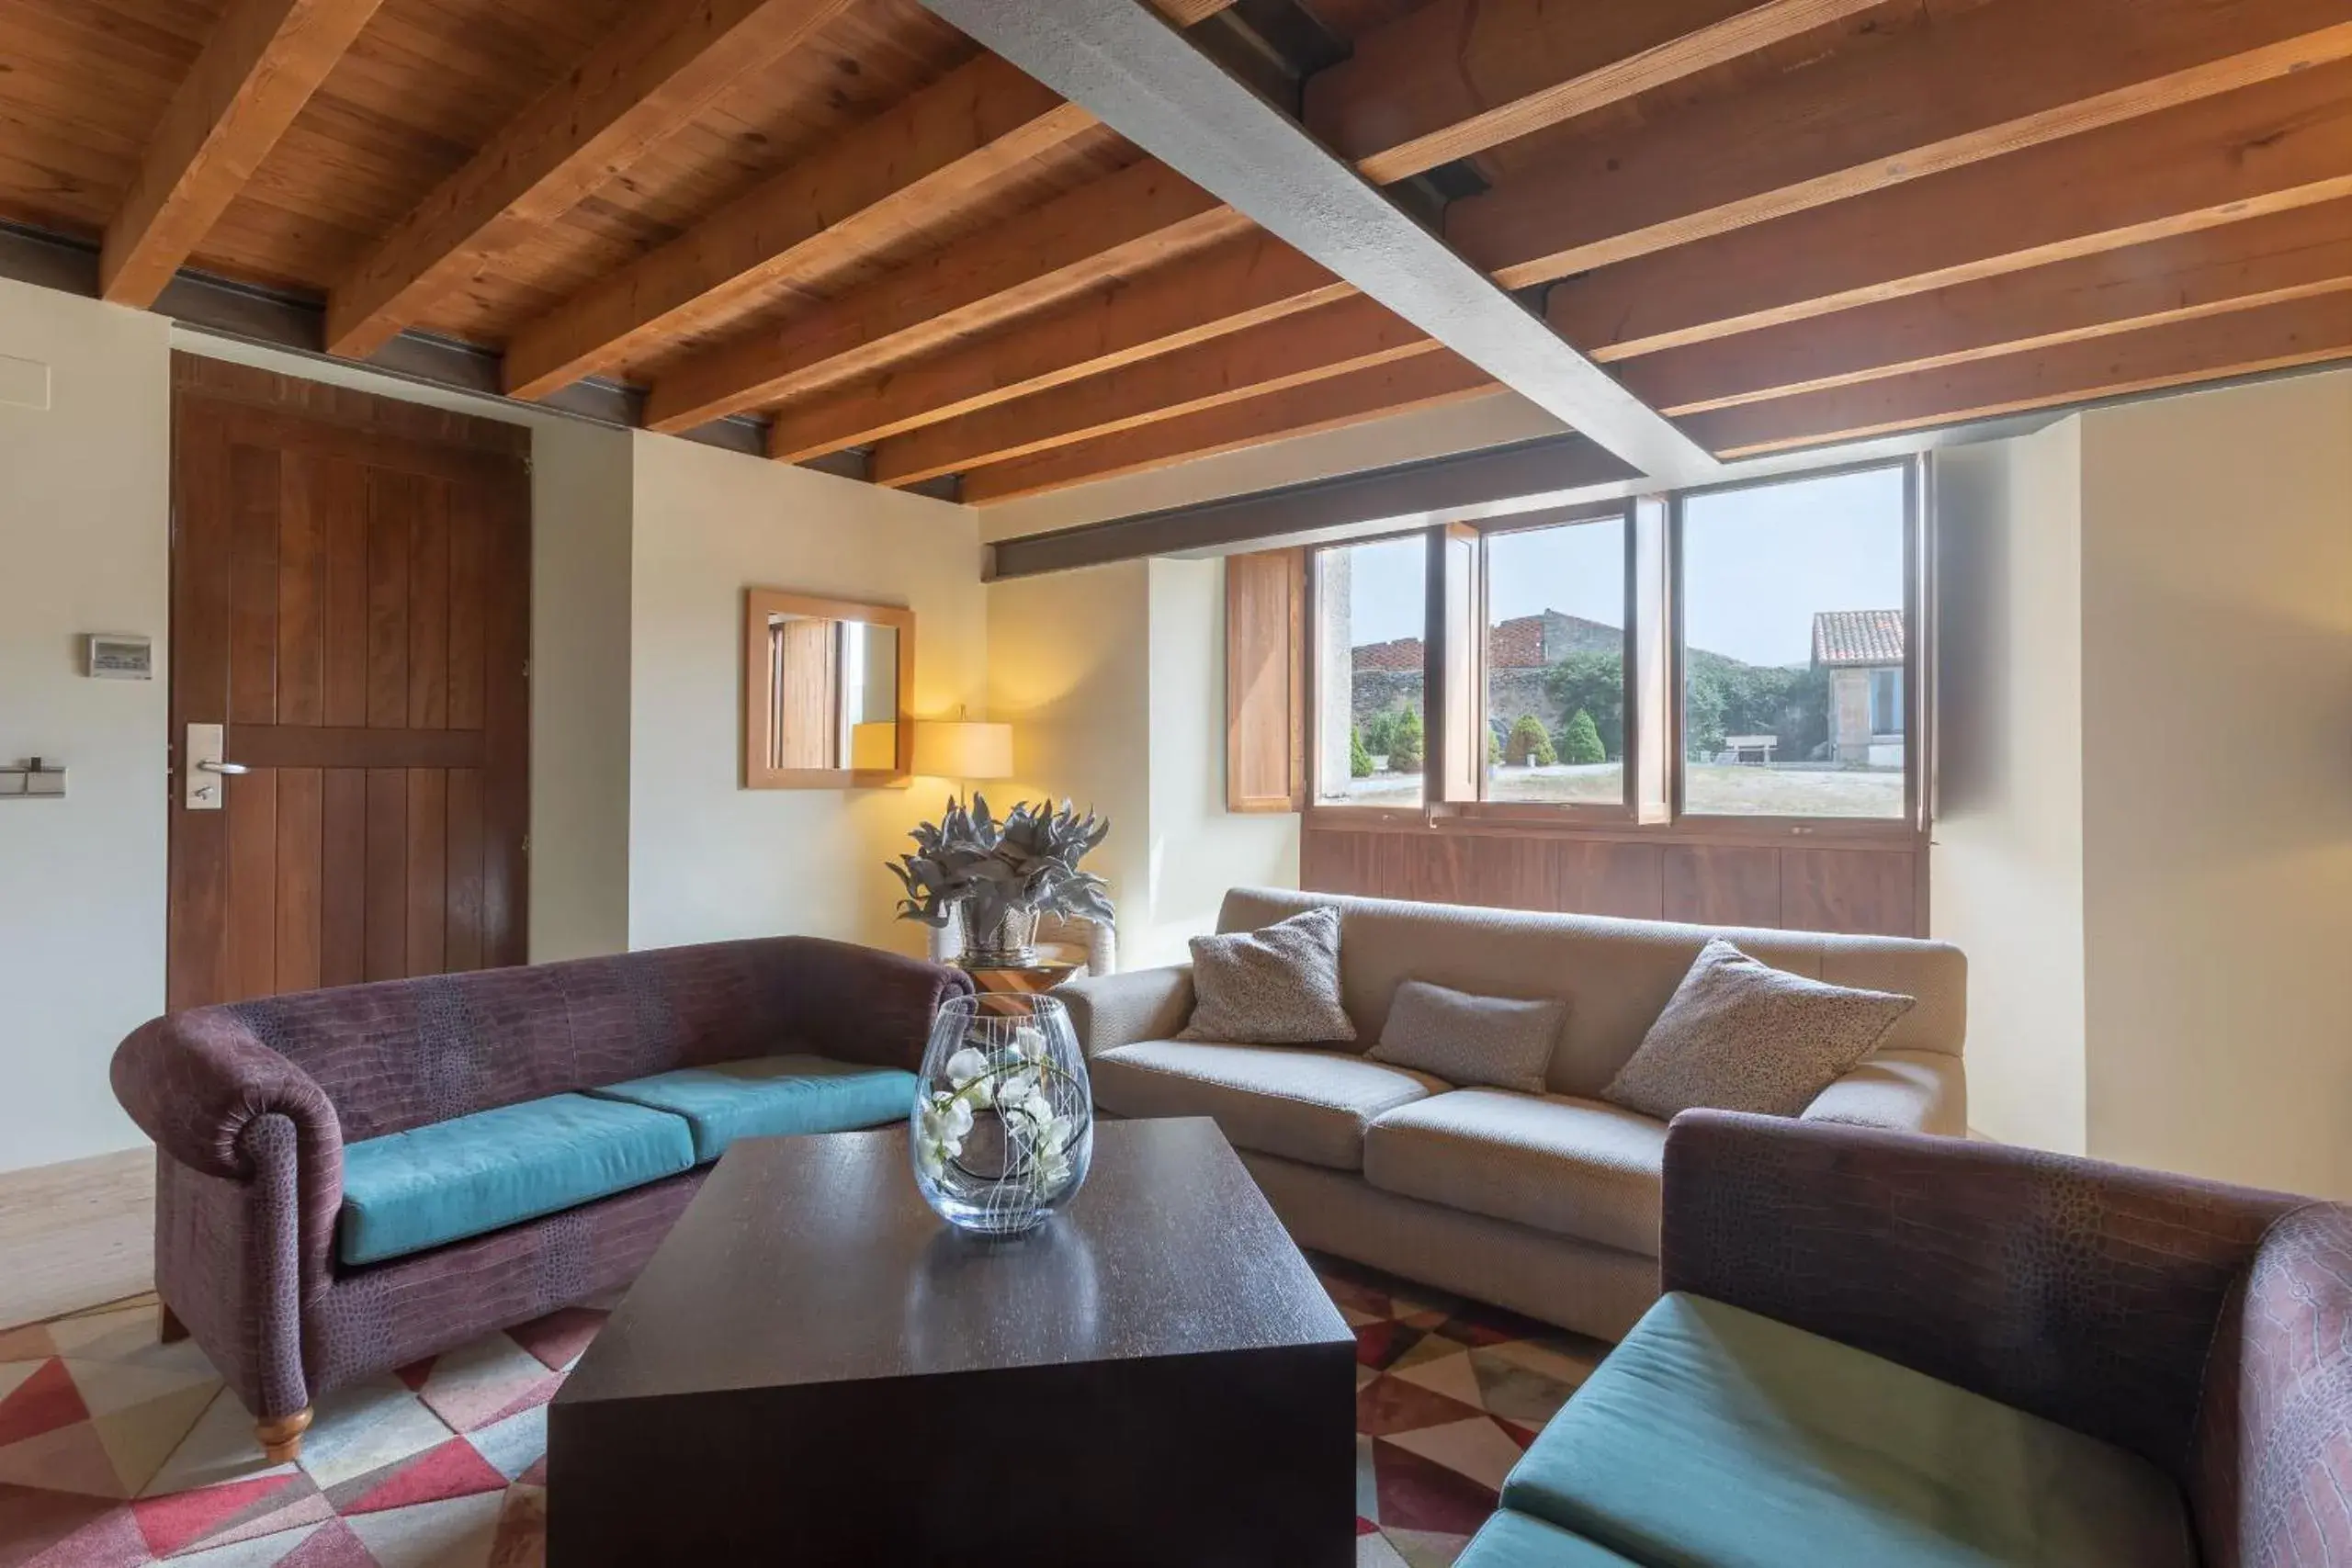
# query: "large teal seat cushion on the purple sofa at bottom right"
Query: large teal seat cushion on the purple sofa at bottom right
1725,1440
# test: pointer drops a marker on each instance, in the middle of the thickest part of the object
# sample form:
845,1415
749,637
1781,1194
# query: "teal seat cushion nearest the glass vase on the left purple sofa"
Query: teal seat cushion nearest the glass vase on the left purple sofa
770,1097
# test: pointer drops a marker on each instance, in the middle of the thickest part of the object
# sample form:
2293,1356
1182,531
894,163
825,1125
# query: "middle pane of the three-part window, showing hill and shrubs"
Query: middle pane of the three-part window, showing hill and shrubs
1556,664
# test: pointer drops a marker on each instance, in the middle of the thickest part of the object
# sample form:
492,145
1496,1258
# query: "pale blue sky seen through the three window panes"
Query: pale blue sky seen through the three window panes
1758,563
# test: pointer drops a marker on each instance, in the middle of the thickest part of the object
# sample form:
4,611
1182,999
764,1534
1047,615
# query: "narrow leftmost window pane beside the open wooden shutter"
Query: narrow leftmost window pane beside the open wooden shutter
1372,612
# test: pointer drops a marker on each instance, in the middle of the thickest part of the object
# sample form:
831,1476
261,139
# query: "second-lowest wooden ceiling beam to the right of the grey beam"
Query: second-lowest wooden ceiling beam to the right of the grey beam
2264,262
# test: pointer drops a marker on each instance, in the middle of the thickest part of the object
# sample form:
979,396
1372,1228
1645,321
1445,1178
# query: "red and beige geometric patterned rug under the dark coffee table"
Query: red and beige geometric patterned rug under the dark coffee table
119,1452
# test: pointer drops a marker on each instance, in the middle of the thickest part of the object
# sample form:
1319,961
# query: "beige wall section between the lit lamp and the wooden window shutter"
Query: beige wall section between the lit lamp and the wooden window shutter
1116,685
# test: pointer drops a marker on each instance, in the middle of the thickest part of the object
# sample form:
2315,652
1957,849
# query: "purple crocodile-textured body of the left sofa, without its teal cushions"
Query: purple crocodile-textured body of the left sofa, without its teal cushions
250,1108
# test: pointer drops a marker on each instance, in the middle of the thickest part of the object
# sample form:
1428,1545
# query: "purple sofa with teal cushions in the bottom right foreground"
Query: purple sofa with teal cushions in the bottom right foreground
1972,1322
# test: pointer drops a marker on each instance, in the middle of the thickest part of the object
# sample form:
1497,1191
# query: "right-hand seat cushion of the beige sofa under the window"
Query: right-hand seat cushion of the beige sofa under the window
1558,1165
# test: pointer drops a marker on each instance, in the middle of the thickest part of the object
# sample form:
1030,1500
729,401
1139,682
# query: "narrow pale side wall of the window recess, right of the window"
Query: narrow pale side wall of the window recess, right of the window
2007,862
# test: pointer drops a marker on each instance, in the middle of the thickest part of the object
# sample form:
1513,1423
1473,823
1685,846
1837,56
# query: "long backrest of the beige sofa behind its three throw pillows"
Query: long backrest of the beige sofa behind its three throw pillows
1615,974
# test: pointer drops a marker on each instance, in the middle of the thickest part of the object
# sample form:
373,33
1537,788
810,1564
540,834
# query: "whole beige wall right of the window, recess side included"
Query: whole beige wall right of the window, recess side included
2146,824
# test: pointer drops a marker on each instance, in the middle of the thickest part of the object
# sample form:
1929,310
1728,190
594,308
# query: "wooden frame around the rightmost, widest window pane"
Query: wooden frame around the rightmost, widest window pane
1873,831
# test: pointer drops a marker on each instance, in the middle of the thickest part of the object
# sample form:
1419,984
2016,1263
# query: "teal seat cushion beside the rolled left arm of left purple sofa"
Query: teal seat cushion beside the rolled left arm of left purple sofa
500,1167
